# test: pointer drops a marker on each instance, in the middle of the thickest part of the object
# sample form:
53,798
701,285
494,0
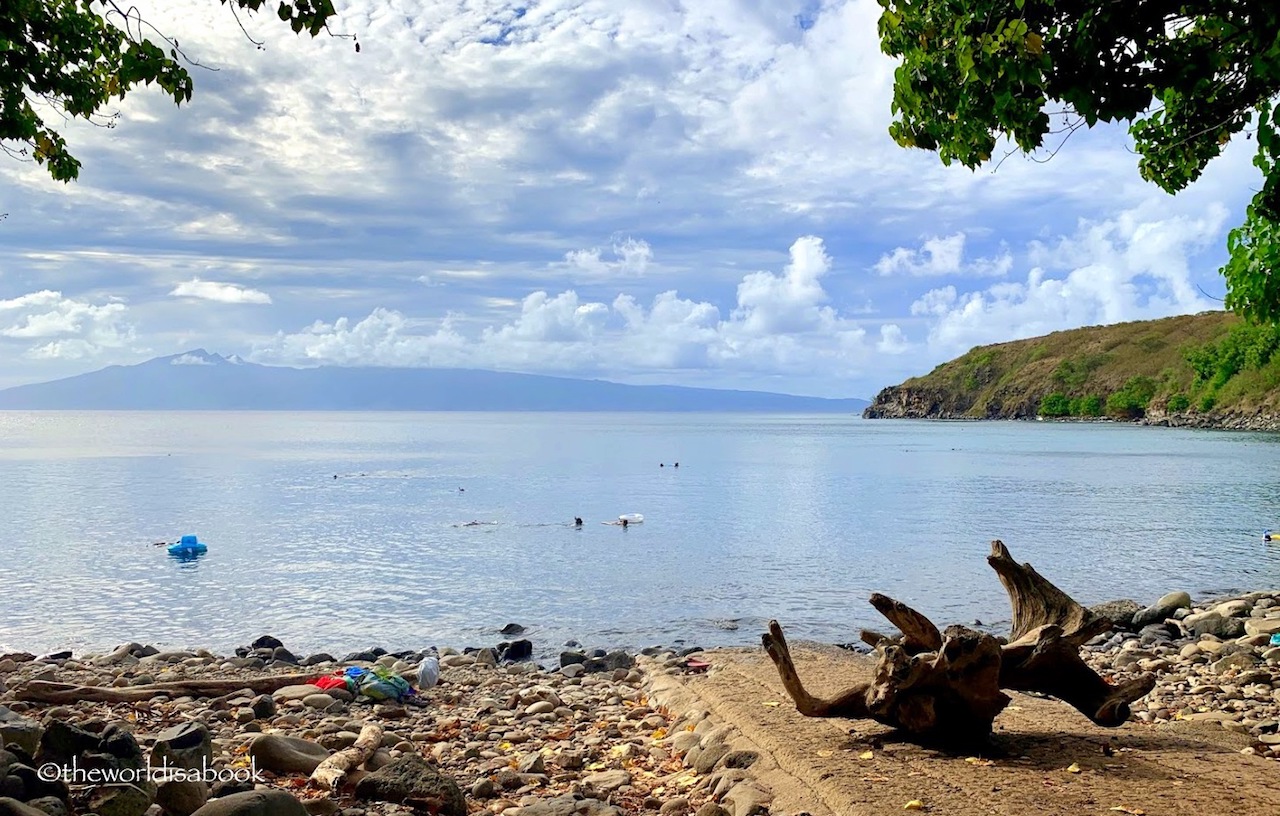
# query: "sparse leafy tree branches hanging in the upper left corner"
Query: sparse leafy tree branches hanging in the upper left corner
63,59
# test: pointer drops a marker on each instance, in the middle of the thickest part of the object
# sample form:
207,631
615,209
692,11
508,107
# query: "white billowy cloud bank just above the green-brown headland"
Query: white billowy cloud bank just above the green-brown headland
1133,267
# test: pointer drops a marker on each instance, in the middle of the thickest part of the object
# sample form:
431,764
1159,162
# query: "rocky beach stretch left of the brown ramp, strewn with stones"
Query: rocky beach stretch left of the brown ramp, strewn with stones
499,735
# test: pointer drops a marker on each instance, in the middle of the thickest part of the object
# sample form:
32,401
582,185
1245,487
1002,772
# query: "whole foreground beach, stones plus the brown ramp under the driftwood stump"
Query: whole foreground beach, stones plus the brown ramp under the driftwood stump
604,734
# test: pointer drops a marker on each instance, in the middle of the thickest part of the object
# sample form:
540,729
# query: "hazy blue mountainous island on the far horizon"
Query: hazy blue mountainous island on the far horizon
199,381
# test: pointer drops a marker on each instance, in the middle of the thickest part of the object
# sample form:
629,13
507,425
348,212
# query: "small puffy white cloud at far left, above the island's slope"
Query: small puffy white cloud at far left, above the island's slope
54,327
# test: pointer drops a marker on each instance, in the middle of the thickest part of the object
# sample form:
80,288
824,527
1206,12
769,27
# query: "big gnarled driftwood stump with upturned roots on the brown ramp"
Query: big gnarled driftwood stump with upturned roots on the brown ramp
947,686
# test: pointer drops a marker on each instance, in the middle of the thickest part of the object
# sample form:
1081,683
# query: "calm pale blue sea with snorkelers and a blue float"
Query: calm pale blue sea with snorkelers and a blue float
792,517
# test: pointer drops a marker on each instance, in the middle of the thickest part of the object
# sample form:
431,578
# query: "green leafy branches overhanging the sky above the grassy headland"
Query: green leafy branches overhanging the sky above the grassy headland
1187,75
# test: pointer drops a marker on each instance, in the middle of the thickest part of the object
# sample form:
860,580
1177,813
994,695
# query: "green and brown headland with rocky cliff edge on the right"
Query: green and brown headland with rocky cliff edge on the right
1208,370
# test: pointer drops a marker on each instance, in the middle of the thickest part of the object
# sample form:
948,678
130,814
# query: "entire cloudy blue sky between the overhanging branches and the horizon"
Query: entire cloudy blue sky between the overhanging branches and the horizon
694,192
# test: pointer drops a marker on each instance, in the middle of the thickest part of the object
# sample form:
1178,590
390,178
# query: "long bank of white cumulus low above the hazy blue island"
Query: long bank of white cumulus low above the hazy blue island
779,320
